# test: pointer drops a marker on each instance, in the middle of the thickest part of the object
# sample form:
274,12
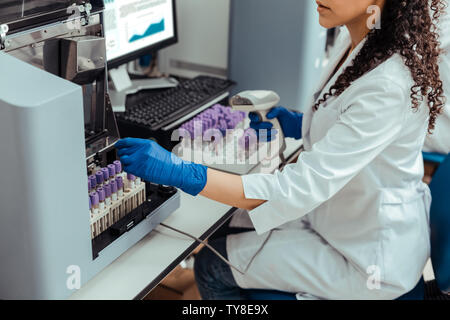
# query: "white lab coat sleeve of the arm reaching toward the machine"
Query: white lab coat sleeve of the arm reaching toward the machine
367,124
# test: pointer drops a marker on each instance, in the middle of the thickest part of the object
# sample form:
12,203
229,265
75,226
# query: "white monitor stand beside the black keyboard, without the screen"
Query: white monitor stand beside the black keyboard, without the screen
124,86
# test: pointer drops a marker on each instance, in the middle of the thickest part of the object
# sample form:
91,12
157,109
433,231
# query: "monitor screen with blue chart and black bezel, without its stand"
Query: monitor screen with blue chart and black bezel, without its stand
136,27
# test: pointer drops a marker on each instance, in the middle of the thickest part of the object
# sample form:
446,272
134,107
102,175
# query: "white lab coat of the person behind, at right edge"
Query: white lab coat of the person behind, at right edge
439,141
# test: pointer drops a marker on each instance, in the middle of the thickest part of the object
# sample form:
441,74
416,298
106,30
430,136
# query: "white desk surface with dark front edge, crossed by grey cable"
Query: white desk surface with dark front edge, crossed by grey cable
141,268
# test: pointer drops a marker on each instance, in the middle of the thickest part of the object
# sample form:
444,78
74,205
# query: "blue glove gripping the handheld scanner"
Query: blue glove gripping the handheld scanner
290,122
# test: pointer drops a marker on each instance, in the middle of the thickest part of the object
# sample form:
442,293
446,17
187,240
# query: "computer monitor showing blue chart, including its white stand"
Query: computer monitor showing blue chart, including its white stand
134,28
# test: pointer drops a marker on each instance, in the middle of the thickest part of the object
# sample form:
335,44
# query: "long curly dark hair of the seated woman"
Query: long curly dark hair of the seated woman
409,28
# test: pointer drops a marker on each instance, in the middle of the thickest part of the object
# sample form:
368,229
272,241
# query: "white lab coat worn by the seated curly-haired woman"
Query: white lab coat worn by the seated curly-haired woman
353,210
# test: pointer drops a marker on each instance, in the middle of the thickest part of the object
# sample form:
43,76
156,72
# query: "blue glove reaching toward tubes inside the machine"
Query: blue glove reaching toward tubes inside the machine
153,163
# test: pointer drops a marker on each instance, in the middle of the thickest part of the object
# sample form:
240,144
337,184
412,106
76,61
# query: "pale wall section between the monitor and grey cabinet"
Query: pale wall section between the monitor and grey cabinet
203,39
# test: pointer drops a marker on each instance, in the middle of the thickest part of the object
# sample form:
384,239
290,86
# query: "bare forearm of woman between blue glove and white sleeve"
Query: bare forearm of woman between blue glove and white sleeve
228,189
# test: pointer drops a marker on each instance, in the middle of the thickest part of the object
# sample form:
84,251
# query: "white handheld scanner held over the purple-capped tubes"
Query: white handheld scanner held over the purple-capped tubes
259,102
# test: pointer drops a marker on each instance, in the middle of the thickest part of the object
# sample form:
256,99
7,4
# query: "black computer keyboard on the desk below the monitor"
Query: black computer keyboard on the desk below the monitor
162,109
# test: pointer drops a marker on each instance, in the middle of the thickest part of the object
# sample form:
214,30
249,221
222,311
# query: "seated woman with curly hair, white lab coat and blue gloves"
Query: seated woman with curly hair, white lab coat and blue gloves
349,220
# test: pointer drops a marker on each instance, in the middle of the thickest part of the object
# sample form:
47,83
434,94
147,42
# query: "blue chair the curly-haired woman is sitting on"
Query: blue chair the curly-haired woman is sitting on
440,246
